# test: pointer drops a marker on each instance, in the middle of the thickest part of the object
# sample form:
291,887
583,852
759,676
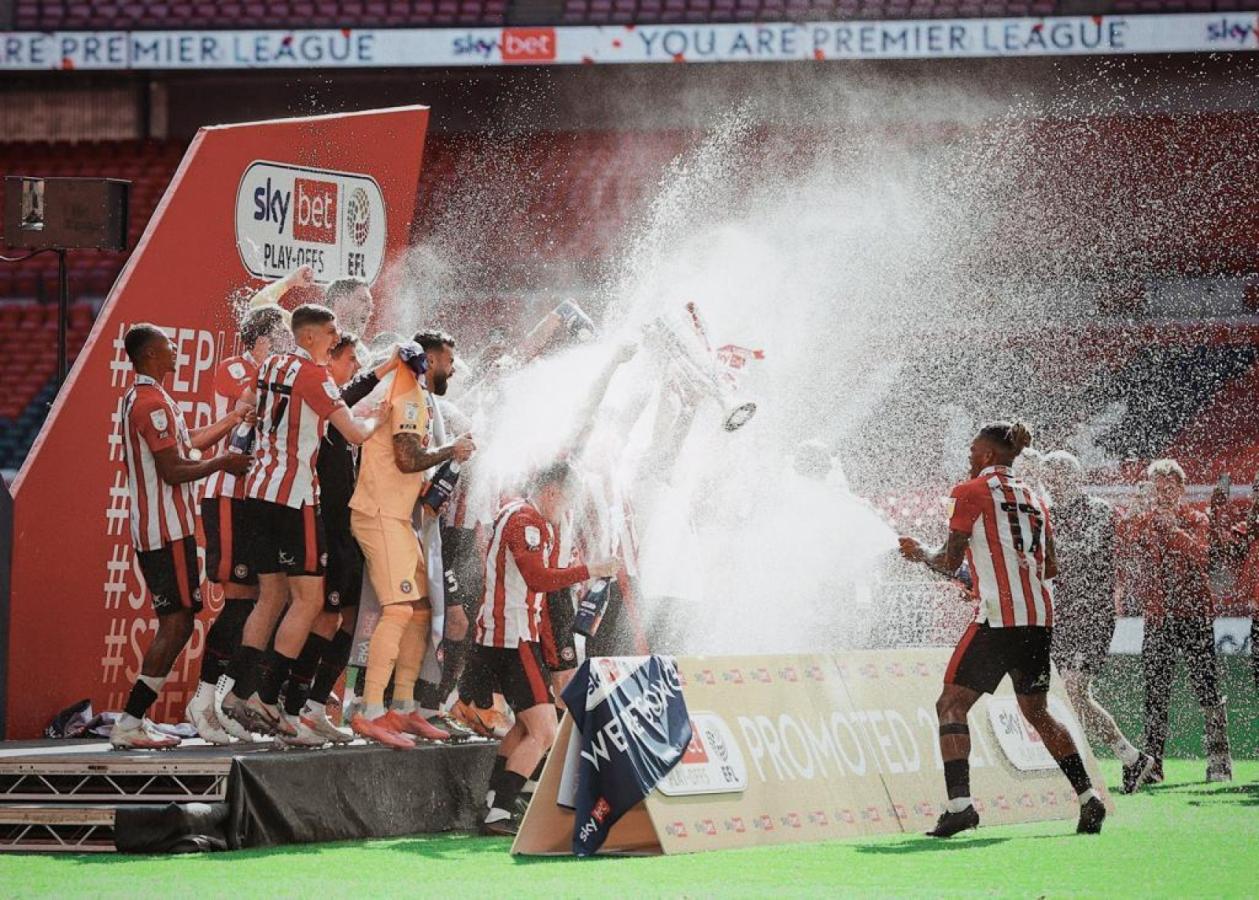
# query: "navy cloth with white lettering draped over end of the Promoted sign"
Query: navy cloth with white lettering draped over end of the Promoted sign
630,729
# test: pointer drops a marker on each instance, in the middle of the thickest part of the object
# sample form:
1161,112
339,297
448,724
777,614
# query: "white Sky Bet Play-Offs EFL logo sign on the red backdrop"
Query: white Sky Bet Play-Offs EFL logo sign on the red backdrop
289,217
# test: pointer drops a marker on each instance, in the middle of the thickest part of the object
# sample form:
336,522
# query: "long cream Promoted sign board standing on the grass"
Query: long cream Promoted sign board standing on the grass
811,748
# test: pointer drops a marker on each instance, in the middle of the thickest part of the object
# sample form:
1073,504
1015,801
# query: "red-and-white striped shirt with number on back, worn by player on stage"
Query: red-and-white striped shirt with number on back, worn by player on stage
295,398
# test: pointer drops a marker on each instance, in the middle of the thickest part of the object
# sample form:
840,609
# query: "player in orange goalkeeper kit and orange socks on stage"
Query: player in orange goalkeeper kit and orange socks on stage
391,479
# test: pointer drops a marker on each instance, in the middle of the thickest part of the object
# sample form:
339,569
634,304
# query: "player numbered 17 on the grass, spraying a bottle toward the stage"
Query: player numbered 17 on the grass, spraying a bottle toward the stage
1004,532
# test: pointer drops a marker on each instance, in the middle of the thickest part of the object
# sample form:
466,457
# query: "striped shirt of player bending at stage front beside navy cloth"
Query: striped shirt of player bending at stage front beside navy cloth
519,572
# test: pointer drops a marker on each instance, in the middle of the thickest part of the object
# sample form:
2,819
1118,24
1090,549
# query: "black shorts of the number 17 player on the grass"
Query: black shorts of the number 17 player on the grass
986,655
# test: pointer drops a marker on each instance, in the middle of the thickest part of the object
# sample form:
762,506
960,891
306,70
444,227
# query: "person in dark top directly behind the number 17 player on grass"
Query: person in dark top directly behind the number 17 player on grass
1085,537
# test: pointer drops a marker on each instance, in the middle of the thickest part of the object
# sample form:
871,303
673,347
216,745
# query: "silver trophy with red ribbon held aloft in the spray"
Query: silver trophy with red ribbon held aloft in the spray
696,367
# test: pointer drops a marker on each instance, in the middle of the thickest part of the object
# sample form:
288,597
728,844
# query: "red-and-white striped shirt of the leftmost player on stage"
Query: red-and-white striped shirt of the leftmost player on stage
161,513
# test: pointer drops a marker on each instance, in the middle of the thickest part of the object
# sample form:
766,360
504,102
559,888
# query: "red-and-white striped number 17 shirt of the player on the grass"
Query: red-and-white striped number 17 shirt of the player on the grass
1009,528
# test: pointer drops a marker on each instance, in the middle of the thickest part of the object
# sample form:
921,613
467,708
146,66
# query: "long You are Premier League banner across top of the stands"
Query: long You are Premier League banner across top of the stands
614,45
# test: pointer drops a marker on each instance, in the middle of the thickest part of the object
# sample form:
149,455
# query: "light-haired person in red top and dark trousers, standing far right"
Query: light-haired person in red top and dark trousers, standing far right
1171,557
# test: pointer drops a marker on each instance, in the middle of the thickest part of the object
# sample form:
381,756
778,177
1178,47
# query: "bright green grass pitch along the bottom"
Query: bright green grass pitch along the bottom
1180,839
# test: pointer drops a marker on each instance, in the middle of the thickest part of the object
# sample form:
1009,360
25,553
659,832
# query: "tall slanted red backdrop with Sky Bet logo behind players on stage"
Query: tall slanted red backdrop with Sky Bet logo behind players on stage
337,192
